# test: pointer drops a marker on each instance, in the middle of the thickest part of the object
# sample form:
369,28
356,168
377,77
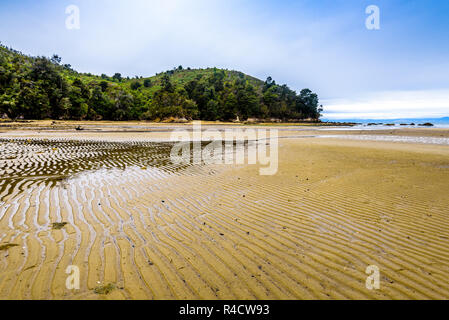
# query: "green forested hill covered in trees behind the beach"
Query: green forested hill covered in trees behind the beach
43,88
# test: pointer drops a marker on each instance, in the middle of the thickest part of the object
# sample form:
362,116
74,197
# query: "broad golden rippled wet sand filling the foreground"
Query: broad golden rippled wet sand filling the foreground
152,230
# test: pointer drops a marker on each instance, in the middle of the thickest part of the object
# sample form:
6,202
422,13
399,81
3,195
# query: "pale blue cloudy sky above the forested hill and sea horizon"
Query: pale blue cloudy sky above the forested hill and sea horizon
401,70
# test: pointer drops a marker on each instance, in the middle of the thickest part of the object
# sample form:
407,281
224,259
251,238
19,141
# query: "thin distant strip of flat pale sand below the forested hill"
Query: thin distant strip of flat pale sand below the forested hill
161,132
